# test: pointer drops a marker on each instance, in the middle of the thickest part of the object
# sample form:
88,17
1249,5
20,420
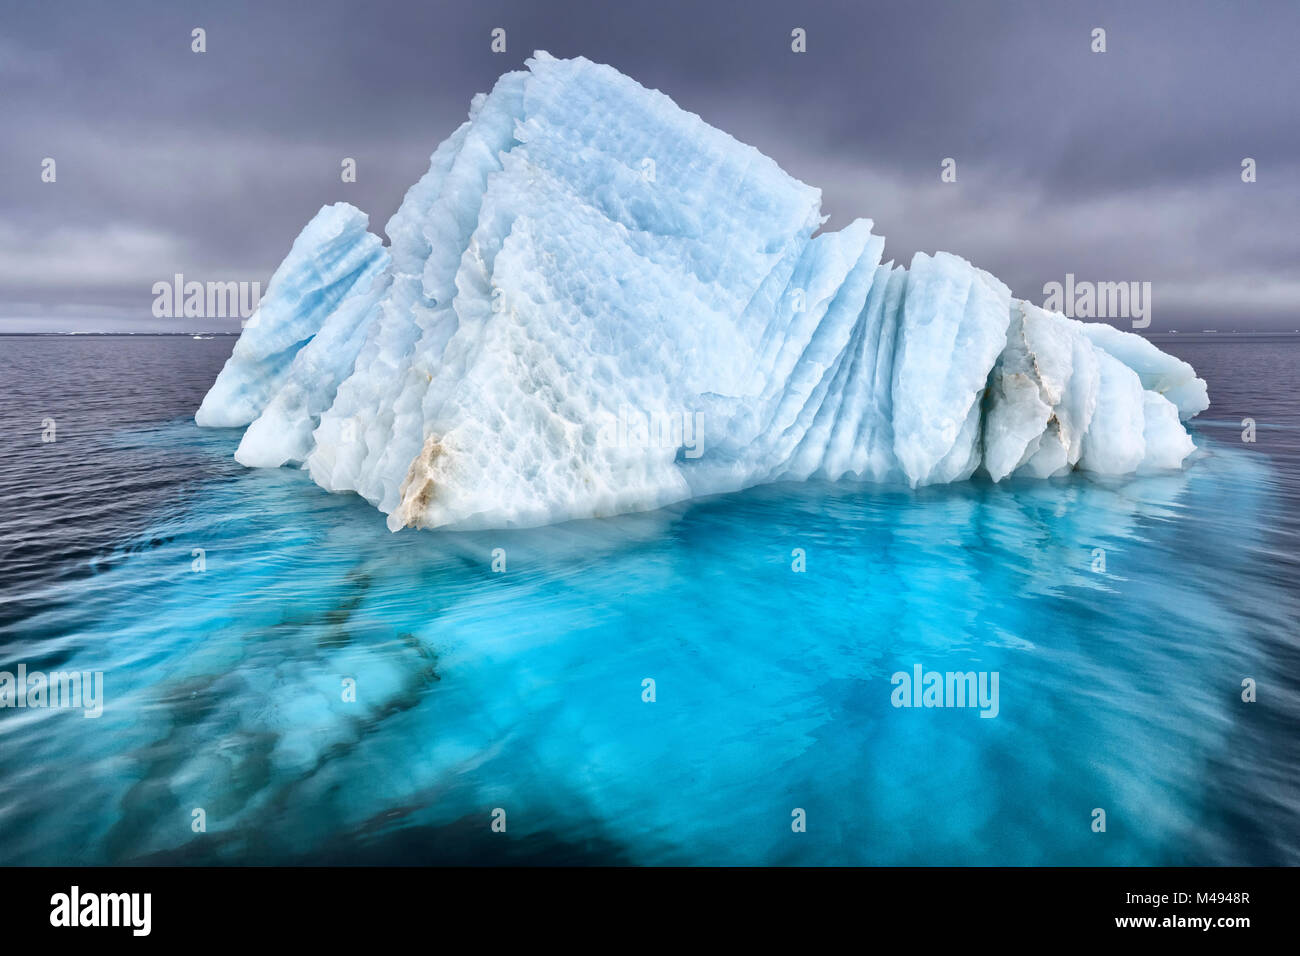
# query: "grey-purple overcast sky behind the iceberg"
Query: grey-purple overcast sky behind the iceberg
1124,166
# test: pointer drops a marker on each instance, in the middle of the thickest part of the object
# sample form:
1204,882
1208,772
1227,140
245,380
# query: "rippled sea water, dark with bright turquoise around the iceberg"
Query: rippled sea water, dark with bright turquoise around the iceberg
1120,690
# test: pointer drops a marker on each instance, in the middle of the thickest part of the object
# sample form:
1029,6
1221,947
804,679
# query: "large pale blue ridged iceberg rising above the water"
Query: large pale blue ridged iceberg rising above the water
596,304
